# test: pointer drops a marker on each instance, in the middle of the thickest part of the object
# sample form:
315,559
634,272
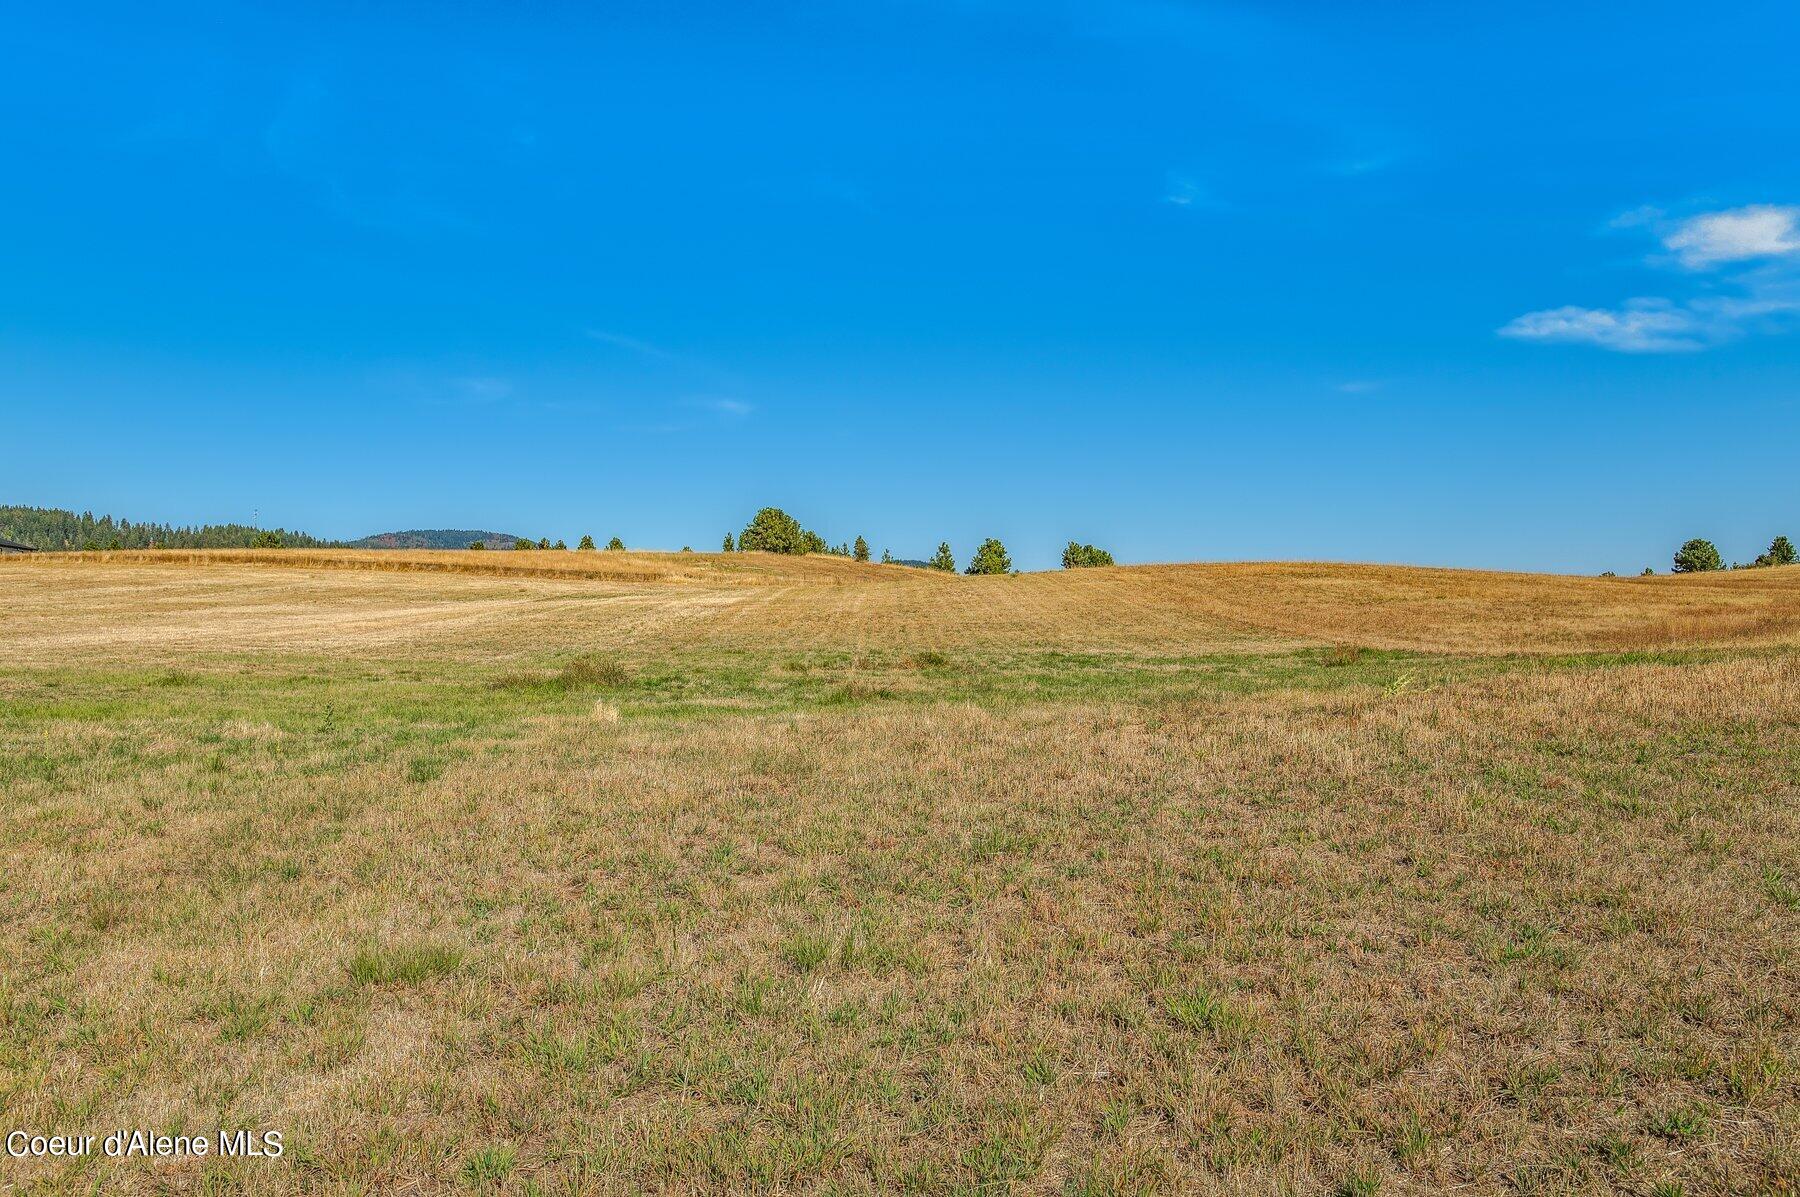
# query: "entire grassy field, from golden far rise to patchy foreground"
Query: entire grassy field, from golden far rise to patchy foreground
609,874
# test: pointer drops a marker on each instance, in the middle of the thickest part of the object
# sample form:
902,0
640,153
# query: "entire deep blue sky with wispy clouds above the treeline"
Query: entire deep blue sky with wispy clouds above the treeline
1506,285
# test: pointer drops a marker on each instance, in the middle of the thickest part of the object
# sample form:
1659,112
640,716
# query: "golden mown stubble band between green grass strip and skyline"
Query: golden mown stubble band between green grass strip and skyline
508,602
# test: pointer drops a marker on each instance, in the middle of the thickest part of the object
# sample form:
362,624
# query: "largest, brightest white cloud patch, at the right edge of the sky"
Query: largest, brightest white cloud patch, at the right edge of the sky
1763,298
